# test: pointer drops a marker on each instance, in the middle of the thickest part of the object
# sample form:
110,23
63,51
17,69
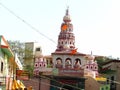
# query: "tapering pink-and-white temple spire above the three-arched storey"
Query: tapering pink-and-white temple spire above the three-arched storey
66,38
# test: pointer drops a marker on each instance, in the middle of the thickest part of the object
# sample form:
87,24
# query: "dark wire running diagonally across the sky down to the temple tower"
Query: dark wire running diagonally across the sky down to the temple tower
28,24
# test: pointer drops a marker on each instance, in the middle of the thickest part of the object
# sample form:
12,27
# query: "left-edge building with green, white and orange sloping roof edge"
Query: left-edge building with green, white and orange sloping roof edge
8,64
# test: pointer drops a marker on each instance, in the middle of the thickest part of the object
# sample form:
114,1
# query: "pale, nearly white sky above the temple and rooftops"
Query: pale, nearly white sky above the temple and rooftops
96,23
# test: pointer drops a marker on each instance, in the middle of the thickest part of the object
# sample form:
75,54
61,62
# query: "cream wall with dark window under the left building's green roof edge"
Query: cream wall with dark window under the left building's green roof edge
6,70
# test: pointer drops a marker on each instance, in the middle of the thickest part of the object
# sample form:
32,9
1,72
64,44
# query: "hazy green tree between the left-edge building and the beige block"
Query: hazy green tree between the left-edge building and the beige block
19,48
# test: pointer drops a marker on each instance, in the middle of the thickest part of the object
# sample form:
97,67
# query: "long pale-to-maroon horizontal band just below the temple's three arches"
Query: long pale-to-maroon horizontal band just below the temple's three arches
60,71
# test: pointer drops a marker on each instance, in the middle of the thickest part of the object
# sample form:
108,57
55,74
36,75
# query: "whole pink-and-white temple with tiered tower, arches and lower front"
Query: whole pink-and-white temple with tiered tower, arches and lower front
67,68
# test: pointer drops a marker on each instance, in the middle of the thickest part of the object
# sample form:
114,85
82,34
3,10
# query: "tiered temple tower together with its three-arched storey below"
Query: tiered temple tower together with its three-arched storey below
66,55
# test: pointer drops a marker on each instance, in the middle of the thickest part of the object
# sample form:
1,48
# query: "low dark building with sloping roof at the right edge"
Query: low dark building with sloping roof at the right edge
113,77
